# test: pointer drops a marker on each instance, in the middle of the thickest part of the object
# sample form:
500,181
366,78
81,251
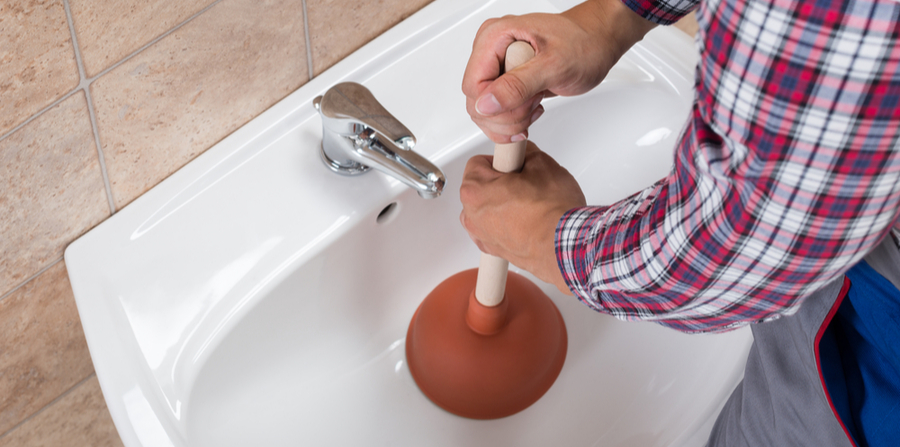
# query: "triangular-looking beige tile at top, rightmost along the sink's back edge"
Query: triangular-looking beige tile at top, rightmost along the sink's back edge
338,27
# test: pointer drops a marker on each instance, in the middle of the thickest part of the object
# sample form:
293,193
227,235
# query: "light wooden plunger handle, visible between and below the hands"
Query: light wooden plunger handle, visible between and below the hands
491,283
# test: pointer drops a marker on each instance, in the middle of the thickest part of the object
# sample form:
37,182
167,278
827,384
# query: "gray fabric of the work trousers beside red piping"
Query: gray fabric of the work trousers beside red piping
781,401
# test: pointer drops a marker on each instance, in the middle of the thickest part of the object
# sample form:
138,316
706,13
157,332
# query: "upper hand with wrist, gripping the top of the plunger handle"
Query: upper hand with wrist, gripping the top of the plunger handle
573,53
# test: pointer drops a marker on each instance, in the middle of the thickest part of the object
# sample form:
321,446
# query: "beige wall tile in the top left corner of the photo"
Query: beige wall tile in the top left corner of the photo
37,60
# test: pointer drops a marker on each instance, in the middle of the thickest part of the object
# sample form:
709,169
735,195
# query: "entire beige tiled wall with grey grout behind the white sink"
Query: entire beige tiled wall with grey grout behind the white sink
99,101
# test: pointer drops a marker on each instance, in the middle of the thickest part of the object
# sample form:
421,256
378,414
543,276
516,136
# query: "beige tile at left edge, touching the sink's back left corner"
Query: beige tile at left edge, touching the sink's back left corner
52,189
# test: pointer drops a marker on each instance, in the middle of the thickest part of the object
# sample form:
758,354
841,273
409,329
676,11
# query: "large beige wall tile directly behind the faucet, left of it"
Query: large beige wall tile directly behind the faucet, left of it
174,100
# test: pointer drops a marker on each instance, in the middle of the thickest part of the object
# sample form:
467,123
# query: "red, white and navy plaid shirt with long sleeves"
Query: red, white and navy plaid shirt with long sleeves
786,175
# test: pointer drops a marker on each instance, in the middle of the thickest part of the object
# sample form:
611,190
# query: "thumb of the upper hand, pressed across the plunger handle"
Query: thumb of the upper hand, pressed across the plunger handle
511,90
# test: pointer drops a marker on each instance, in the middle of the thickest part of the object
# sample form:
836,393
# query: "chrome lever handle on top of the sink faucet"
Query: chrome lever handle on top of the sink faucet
353,102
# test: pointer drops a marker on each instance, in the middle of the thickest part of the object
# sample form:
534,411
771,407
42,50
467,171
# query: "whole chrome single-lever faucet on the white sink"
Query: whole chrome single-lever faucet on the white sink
359,134
